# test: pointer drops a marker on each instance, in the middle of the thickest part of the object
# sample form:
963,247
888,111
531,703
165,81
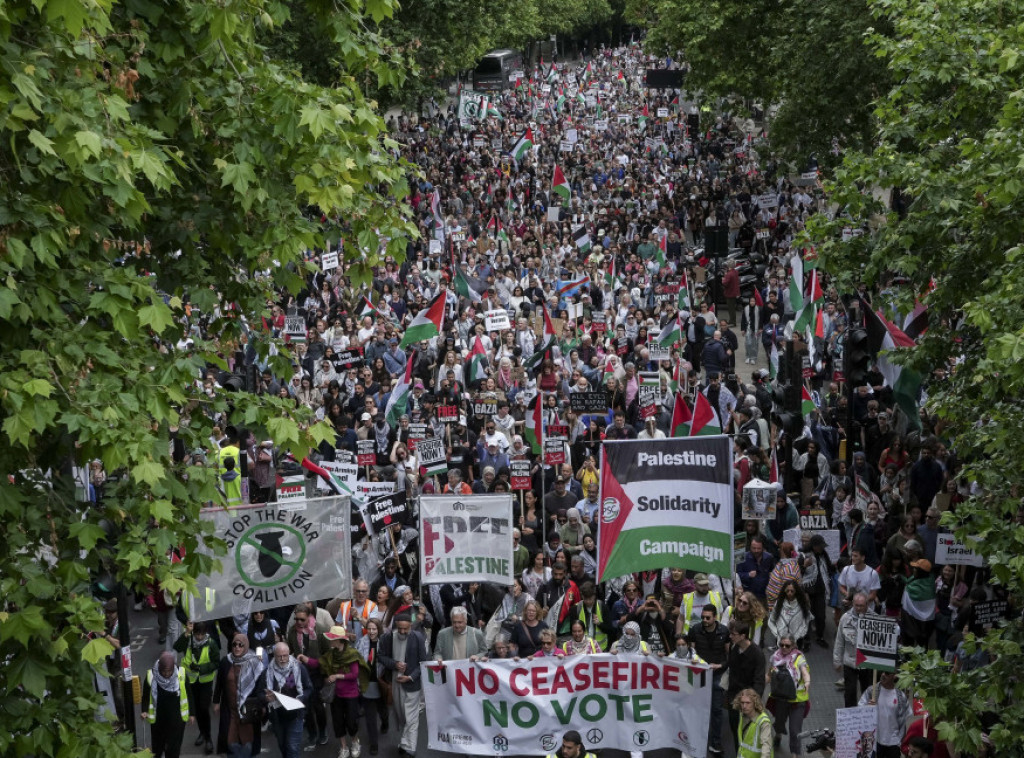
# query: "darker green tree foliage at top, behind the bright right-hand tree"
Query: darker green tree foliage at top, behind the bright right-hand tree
808,61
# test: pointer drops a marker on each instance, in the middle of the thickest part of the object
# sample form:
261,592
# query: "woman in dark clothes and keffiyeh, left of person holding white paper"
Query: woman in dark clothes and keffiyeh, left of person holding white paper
237,681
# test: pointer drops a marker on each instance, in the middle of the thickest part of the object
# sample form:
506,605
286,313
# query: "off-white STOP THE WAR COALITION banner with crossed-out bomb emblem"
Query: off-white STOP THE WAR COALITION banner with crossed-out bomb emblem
277,557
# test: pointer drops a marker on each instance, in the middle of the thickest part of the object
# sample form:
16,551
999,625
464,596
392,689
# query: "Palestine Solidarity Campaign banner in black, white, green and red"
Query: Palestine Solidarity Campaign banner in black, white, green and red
666,503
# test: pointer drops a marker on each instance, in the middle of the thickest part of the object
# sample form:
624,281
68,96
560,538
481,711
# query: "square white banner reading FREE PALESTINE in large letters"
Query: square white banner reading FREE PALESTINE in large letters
466,539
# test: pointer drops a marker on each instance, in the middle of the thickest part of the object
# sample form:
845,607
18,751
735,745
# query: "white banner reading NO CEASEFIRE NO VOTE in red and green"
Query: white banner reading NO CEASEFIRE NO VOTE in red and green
504,707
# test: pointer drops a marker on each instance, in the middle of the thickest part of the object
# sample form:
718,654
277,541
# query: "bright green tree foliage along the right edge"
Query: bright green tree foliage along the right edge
951,133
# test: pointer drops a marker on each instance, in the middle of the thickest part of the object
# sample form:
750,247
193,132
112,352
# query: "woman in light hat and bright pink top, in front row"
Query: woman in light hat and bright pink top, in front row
348,670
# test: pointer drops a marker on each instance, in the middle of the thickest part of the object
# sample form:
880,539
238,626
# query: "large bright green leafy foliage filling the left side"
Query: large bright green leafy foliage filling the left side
163,123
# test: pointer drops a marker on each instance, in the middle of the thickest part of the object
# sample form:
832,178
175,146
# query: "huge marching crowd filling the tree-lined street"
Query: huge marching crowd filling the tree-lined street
594,256
